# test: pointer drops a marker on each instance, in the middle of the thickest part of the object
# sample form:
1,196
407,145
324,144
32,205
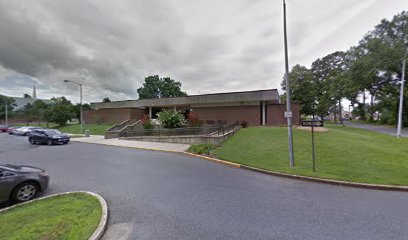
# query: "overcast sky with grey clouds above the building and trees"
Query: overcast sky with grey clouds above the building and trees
208,45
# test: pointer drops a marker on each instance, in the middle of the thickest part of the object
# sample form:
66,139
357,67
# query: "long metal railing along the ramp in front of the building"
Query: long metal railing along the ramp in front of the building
218,130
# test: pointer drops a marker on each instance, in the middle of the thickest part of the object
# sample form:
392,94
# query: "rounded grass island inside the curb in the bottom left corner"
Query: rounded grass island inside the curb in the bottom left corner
72,216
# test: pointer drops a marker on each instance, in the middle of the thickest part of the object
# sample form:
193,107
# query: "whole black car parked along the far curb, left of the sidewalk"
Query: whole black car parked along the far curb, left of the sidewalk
48,136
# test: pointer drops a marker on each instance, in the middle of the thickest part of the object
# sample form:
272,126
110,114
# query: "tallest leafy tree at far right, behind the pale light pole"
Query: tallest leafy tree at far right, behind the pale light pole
377,66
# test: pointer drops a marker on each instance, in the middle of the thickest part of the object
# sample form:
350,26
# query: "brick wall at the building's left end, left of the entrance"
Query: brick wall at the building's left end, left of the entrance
112,115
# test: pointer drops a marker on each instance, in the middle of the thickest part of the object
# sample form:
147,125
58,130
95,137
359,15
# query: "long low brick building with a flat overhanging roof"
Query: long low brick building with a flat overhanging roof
255,107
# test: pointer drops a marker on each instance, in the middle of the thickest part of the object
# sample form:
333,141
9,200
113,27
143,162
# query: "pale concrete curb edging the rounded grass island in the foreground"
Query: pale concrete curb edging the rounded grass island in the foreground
99,231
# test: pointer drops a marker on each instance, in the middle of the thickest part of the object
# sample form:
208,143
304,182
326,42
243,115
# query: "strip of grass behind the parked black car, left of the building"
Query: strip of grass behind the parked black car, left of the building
94,129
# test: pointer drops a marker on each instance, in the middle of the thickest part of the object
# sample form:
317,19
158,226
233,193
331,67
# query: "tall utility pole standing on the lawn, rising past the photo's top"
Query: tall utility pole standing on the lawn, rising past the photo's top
288,113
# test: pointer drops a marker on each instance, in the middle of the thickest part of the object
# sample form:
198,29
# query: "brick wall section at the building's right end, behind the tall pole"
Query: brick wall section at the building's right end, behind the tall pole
276,114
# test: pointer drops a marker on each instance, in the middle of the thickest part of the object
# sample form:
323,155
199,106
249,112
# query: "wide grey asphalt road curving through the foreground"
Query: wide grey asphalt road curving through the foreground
157,195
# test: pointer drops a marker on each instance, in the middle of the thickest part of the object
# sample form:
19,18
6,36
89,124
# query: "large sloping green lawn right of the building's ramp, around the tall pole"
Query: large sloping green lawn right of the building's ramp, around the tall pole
343,153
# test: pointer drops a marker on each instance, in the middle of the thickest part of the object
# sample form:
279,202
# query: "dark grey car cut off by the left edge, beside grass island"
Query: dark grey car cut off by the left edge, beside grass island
21,183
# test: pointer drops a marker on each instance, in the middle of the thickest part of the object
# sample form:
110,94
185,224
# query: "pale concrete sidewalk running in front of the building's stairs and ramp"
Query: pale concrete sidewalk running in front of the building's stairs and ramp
174,147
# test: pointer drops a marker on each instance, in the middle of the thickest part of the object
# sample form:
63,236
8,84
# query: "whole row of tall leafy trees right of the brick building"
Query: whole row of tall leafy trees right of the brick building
372,70
